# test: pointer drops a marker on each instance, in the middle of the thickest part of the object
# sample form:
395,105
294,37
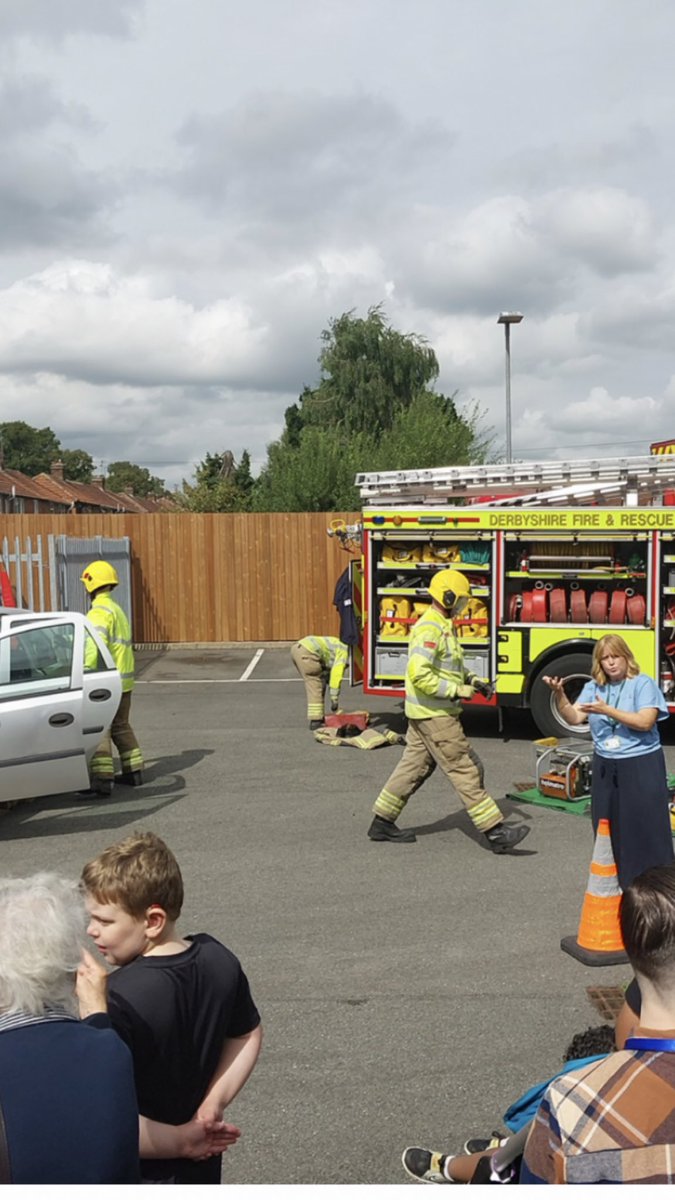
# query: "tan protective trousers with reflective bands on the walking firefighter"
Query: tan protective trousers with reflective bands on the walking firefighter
439,742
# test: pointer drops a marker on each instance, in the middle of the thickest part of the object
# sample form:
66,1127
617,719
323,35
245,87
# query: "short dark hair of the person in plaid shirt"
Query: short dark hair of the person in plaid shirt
648,922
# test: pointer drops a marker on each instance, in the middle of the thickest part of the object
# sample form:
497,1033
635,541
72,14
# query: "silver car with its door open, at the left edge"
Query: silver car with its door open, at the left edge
53,711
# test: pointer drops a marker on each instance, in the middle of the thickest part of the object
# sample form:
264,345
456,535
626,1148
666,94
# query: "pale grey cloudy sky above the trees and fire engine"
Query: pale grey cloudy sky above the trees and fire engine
192,190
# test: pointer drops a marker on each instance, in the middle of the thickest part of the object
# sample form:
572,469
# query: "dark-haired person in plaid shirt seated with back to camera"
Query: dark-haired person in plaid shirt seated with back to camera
614,1121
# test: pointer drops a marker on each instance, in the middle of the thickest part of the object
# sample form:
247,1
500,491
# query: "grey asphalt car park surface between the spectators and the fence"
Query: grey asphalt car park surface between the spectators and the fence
409,994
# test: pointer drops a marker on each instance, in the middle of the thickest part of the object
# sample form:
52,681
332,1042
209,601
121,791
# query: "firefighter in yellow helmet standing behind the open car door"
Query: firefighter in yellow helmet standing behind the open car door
112,625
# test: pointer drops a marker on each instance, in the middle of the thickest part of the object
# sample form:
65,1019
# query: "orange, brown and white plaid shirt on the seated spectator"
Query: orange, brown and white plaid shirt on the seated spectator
612,1123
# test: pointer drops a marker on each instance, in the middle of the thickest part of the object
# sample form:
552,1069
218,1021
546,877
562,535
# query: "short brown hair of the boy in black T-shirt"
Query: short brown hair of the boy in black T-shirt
135,874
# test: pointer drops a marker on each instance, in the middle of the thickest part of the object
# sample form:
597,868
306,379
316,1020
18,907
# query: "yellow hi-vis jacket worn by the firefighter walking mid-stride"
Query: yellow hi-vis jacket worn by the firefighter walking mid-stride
435,669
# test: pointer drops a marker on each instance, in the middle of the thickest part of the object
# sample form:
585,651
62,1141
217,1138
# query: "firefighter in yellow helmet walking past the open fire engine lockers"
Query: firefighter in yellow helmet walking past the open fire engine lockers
437,682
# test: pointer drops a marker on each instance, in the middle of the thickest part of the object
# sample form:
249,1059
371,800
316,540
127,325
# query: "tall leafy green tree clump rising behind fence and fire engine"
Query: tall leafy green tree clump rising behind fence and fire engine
373,410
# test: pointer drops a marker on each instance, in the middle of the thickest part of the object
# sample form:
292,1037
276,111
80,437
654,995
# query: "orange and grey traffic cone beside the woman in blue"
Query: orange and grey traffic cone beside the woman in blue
599,941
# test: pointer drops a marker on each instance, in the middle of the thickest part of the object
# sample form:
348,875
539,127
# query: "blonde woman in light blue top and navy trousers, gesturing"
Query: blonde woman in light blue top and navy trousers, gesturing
630,787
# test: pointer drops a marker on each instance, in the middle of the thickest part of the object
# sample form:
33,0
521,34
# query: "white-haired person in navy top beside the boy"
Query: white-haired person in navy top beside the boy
68,1100
